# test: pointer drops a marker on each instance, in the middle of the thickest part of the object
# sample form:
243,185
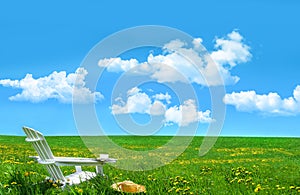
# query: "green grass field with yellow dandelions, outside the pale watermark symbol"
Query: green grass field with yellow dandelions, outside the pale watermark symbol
232,166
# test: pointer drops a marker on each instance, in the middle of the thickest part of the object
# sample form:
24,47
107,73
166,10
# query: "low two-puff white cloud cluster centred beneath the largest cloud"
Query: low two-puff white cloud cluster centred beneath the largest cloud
140,102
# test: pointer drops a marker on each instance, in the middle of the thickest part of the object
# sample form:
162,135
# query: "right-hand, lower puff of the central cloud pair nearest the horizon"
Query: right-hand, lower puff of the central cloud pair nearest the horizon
186,114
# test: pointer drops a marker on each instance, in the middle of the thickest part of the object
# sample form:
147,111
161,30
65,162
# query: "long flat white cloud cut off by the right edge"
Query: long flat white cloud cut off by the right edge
272,103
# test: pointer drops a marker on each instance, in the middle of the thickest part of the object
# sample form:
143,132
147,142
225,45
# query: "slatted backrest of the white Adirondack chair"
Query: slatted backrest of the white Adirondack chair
46,156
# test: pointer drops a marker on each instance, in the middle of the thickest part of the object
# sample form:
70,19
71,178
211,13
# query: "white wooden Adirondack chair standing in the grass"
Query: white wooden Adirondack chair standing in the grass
53,163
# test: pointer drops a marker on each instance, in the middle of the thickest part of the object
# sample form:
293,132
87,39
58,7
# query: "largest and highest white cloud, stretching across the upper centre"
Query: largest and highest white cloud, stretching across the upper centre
176,62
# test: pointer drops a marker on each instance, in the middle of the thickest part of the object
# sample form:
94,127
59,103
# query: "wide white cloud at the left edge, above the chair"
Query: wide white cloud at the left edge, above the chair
57,85
